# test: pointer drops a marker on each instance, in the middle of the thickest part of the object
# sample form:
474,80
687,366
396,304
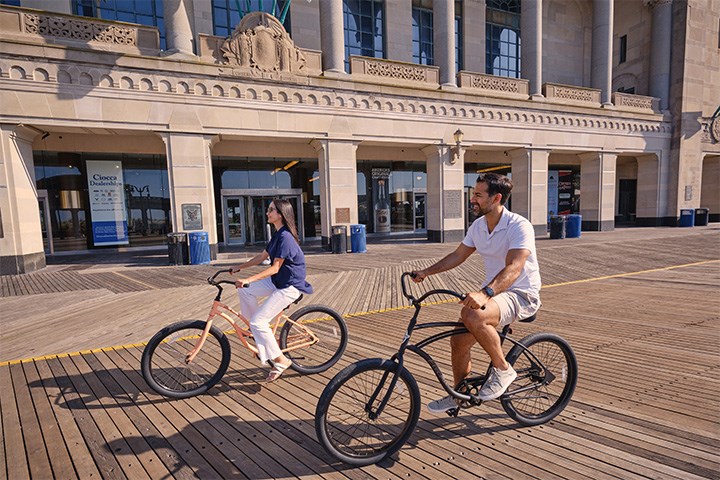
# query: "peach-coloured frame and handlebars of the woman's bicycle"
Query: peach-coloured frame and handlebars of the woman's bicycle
224,311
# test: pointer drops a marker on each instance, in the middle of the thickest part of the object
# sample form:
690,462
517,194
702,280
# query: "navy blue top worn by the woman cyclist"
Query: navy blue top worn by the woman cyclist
292,272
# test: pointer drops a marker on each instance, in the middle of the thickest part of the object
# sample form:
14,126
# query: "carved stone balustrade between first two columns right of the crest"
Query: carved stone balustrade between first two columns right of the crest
378,70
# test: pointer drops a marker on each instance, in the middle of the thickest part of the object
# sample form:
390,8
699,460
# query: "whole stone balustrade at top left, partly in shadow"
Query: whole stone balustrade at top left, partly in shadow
55,28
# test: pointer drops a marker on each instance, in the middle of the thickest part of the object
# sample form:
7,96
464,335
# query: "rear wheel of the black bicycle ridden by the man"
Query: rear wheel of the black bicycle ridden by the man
544,402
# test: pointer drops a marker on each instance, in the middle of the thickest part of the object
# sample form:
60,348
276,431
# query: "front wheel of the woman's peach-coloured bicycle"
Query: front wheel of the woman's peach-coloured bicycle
163,363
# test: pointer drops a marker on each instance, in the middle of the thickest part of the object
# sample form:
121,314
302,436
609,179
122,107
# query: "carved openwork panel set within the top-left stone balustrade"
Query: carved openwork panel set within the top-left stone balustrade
76,29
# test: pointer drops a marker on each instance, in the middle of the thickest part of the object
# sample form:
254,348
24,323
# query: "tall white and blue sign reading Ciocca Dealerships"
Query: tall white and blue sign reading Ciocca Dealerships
107,203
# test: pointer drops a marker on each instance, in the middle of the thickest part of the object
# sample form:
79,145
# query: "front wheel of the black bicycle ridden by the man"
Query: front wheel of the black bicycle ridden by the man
362,440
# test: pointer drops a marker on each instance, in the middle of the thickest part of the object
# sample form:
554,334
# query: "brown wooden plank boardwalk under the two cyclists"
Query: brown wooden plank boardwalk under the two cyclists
643,316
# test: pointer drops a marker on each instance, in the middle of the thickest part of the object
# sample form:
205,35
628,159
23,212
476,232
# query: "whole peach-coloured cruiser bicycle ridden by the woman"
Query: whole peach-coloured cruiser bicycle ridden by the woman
189,357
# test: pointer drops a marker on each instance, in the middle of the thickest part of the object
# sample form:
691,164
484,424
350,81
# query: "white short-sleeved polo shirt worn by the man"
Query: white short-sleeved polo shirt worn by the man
512,232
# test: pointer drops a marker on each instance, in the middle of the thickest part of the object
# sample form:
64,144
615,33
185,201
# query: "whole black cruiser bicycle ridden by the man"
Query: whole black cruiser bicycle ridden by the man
369,410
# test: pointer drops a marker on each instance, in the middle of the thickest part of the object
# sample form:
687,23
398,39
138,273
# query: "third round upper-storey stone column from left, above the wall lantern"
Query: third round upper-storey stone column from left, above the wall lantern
444,40
